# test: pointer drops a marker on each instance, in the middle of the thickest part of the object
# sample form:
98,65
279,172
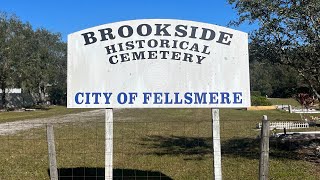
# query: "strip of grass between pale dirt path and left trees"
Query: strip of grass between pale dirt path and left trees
50,112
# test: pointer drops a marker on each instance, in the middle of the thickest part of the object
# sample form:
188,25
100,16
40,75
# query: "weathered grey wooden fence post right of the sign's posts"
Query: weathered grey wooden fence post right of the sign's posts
264,149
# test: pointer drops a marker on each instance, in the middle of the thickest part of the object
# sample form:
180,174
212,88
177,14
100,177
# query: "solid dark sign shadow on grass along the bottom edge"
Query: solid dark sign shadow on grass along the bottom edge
83,173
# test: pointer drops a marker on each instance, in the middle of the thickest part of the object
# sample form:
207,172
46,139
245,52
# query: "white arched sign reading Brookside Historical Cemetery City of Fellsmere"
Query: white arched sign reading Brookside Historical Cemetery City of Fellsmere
155,63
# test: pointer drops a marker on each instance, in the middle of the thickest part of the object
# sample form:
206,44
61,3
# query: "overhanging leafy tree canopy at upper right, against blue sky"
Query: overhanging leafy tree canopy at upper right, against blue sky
288,33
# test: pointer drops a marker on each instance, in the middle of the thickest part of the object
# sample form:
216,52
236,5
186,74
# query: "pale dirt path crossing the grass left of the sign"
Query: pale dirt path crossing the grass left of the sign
15,127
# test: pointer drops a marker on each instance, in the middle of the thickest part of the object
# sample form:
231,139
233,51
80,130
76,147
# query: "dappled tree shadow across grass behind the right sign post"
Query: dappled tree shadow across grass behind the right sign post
196,148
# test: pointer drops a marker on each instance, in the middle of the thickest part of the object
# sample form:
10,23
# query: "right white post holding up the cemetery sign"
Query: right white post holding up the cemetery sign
216,144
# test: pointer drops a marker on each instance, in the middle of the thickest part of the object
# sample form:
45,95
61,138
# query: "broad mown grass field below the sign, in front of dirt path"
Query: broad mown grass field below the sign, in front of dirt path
173,143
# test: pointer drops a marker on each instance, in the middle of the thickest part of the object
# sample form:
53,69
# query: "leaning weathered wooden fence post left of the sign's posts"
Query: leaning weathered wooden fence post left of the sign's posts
52,153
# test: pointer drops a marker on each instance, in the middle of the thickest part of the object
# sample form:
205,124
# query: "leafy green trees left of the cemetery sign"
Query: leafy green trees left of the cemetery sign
34,60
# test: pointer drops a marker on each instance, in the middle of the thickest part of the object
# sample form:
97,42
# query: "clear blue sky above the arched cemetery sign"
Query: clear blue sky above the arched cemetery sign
67,16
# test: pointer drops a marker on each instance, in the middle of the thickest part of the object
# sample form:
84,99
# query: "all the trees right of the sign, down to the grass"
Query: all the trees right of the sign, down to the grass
285,48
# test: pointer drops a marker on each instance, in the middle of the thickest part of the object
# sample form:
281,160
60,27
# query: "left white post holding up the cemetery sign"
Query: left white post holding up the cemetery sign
109,144
